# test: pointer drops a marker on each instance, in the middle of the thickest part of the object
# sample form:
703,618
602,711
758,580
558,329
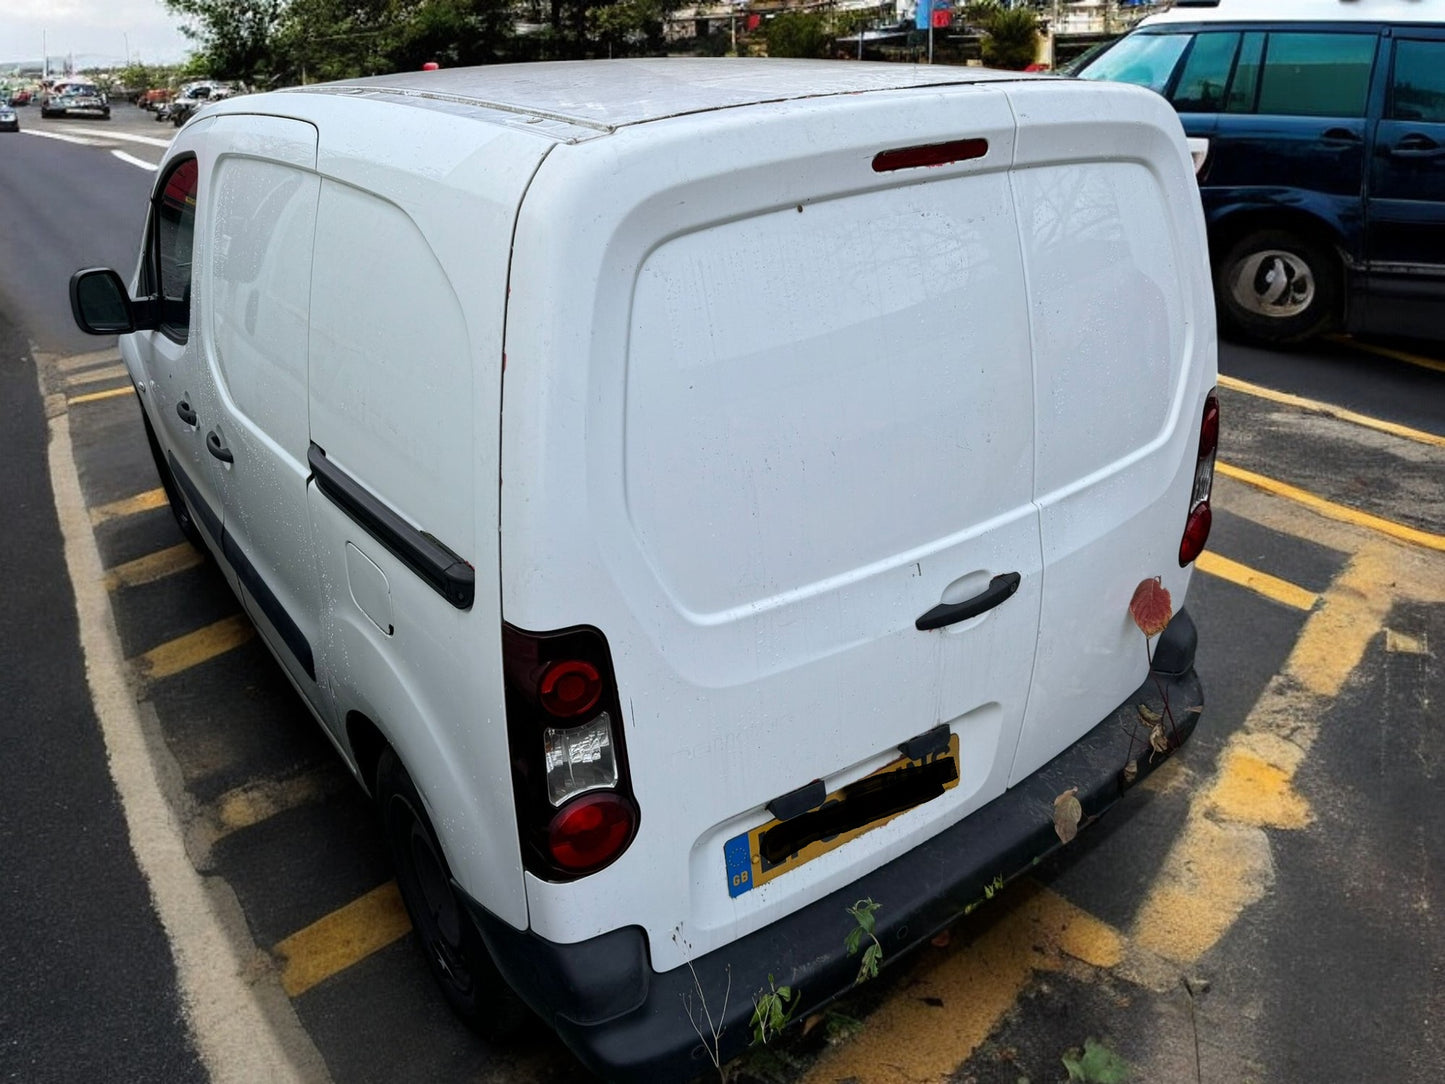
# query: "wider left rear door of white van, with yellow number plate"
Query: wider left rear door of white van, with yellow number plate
765,410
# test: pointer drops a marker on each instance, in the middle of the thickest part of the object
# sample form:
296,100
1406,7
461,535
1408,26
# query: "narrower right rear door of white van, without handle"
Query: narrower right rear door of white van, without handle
1122,319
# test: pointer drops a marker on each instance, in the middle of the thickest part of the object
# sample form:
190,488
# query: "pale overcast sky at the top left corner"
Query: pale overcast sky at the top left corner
95,31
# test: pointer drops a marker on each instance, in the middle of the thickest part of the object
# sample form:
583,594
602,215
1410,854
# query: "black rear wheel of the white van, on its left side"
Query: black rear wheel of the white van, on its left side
449,939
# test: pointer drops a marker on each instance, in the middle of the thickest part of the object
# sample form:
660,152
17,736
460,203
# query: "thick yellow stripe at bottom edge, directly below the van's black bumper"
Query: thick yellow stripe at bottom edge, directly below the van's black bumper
957,997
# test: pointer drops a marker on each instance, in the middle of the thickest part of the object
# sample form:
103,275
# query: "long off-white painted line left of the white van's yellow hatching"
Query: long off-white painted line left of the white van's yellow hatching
245,1027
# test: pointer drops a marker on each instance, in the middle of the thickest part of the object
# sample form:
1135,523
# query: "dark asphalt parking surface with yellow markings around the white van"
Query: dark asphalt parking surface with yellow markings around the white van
1261,910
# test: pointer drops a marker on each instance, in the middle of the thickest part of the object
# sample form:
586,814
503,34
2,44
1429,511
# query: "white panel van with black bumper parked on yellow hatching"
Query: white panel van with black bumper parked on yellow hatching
694,496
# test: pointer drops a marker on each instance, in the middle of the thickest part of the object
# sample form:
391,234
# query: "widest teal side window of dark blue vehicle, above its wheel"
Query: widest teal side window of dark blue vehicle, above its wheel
1317,74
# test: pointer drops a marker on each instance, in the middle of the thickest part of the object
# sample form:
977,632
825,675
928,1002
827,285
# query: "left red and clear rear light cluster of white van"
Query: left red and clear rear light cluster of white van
576,809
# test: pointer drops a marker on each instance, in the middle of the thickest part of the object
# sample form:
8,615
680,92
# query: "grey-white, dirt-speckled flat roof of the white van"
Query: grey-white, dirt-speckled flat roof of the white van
608,95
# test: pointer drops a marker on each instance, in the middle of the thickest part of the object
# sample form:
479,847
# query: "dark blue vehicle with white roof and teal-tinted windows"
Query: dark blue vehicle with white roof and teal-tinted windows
1320,132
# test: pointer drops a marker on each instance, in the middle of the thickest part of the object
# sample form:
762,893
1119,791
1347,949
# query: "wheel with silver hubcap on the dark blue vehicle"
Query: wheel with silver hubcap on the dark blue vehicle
1278,287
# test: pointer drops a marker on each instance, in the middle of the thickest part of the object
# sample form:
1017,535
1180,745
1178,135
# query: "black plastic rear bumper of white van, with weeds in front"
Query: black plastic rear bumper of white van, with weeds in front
628,1023
